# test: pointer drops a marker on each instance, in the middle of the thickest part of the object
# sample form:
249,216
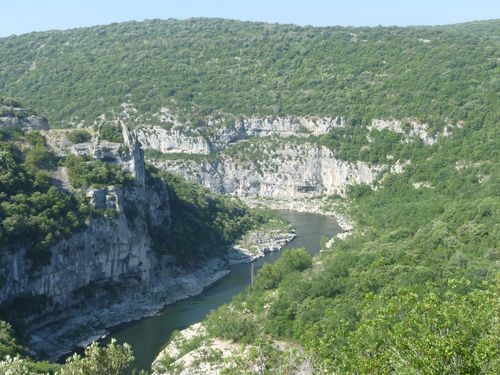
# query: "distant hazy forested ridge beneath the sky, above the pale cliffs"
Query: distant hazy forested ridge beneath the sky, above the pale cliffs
201,67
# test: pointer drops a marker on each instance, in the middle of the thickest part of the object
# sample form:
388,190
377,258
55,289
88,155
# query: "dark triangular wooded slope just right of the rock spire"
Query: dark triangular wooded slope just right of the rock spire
203,223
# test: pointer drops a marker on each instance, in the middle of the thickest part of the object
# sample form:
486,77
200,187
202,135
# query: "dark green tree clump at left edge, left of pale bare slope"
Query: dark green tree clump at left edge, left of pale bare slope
33,212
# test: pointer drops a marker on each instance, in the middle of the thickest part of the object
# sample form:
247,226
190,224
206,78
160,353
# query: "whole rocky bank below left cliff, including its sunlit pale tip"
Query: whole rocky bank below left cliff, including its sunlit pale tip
78,327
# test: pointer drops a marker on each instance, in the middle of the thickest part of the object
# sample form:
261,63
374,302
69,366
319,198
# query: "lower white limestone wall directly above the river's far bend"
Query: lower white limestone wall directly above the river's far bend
284,171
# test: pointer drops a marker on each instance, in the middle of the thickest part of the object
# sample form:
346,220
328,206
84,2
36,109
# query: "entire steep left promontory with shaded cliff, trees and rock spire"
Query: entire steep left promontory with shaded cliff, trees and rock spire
91,237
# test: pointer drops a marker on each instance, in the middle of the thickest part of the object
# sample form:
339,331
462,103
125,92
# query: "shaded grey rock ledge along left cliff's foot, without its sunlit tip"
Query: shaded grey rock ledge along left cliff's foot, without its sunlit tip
77,327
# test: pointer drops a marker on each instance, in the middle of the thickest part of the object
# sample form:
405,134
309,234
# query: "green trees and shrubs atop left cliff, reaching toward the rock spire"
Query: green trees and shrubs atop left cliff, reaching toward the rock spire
35,212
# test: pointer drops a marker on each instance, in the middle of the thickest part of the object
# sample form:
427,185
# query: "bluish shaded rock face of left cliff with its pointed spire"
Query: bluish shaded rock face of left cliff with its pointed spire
109,249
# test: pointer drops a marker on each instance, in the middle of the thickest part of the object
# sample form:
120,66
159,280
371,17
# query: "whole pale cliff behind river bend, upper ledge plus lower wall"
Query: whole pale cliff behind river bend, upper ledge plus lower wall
264,157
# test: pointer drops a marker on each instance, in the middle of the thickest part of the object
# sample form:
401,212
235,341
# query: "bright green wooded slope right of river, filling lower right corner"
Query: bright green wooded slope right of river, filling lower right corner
415,289
